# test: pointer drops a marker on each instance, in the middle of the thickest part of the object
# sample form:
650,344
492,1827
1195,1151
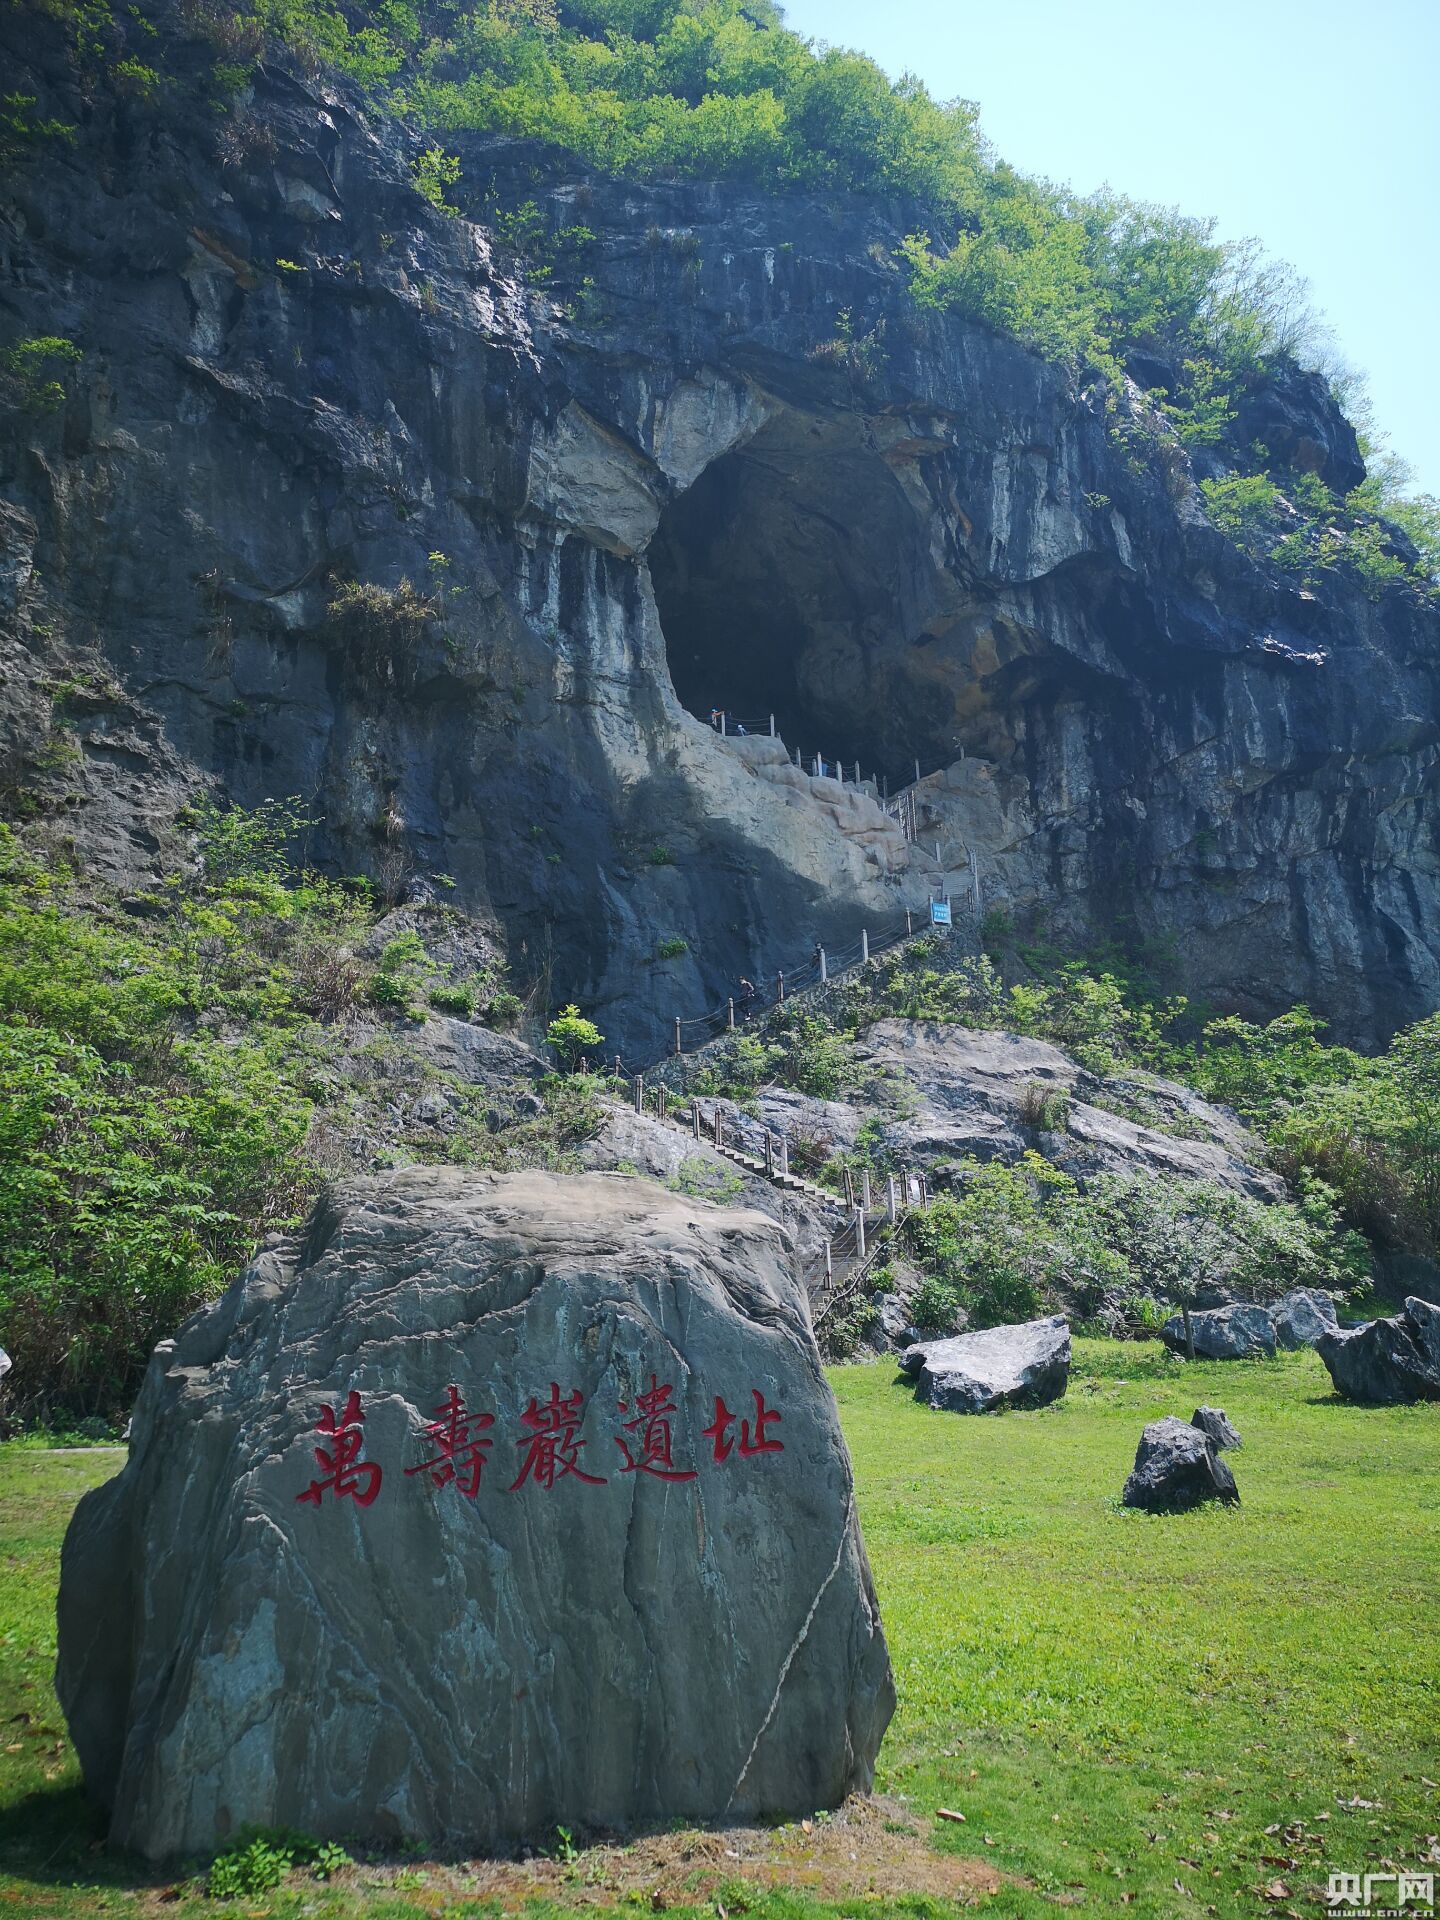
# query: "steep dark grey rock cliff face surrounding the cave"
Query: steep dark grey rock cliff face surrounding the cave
345,504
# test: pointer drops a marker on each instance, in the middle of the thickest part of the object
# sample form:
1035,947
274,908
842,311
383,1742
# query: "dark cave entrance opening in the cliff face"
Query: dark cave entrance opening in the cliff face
790,581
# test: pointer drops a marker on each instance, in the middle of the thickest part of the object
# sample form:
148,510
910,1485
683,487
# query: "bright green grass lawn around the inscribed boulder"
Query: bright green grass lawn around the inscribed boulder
1151,1717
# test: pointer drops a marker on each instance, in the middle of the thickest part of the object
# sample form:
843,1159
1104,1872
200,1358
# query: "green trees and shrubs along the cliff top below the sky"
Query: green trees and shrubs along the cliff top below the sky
723,89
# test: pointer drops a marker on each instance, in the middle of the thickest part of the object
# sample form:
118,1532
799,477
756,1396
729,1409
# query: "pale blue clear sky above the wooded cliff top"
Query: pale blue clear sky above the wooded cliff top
1312,124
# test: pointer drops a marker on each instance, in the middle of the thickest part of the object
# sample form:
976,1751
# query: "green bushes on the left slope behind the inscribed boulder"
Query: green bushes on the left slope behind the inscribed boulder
180,1072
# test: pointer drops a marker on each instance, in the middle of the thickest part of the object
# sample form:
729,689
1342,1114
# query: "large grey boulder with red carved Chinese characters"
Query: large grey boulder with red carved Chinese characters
496,1504
